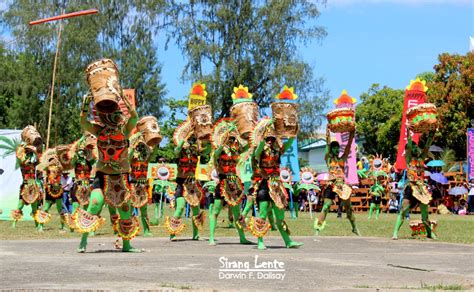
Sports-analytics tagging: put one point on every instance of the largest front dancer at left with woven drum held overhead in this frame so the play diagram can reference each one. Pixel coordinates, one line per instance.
(111, 182)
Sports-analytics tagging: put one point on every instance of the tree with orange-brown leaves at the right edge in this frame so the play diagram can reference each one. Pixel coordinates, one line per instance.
(451, 90)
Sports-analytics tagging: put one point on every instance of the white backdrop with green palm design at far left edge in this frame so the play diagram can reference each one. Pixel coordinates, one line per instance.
(10, 181)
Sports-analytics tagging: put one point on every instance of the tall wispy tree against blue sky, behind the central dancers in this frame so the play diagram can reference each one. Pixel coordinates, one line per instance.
(254, 43)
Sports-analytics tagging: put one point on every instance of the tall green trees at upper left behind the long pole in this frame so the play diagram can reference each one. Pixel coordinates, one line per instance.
(122, 31)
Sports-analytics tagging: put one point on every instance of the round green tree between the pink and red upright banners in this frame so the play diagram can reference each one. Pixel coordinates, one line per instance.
(378, 119)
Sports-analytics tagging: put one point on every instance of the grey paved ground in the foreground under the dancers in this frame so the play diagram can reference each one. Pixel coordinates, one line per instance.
(337, 263)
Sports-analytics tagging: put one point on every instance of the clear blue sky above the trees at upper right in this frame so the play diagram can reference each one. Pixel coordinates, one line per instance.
(370, 41)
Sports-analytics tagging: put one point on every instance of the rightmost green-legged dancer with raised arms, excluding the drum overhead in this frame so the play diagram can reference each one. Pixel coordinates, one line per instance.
(416, 192)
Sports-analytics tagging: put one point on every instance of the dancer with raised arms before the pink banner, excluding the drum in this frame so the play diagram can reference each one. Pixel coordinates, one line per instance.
(336, 184)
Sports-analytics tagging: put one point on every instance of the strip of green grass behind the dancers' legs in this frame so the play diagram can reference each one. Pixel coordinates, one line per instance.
(451, 228)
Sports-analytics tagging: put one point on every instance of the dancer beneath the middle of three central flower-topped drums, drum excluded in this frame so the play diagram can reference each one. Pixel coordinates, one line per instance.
(226, 144)
